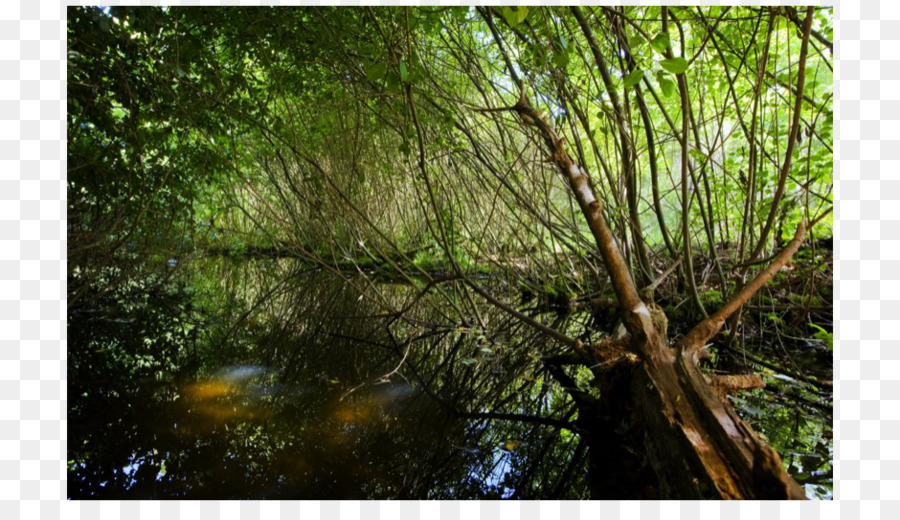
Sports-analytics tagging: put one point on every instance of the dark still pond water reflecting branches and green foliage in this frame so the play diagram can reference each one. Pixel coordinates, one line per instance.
(262, 379)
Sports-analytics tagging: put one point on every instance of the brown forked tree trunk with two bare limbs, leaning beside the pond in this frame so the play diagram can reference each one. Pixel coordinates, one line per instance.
(659, 430)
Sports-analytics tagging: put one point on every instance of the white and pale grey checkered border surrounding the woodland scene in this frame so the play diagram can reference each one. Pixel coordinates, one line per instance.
(32, 307)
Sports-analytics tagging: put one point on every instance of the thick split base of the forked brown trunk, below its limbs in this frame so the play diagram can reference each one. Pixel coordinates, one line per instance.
(659, 431)
